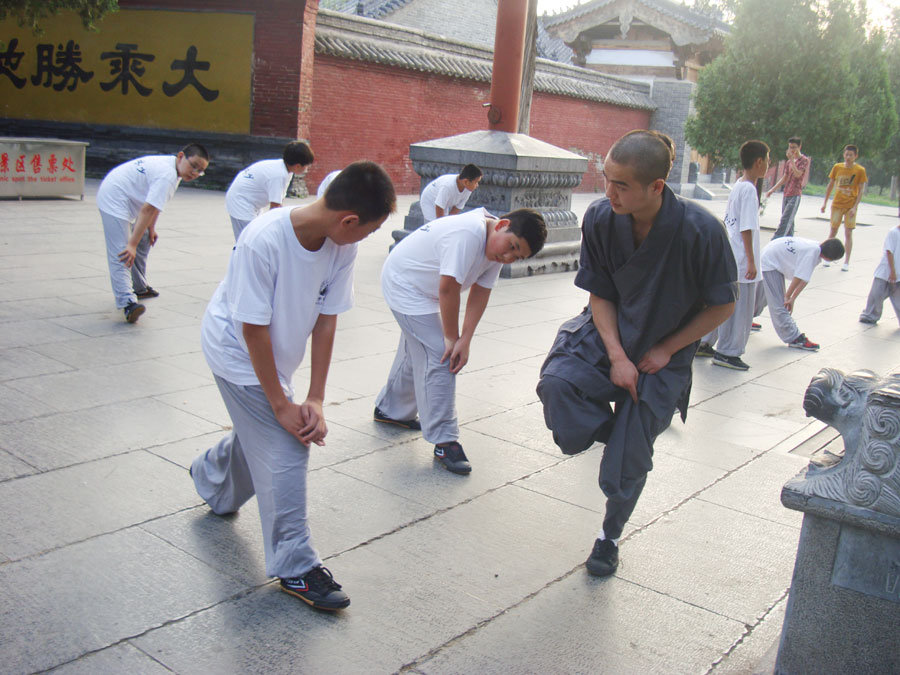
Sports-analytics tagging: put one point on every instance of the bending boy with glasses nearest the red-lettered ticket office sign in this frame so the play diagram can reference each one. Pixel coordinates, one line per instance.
(130, 199)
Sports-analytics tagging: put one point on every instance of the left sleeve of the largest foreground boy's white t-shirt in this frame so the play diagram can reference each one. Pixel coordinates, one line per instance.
(251, 287)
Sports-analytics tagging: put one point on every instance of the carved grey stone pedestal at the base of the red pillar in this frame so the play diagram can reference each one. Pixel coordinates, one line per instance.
(519, 172)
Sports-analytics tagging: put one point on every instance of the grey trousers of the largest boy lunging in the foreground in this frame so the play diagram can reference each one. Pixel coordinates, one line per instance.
(260, 457)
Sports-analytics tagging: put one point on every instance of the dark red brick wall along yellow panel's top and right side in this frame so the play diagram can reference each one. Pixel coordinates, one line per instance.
(282, 50)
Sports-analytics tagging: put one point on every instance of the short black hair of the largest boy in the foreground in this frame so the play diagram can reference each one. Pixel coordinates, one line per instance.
(363, 188)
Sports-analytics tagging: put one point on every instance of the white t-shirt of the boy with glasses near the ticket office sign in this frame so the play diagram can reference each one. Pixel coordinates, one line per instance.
(152, 180)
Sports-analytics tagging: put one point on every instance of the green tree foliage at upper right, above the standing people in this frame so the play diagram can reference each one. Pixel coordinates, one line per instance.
(795, 68)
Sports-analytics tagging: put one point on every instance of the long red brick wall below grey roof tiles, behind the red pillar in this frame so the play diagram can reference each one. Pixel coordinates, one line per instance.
(367, 111)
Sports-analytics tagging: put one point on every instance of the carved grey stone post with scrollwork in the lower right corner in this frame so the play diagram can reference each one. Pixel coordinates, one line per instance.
(843, 612)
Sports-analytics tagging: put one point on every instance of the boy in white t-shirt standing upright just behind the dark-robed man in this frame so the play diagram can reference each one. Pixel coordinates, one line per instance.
(742, 225)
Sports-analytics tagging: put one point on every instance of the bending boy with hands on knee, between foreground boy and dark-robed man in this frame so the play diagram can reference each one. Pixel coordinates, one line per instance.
(422, 280)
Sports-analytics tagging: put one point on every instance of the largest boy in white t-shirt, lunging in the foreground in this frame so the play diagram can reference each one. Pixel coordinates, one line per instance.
(290, 274)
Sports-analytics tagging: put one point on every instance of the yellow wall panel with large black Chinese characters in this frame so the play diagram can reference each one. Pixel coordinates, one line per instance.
(169, 70)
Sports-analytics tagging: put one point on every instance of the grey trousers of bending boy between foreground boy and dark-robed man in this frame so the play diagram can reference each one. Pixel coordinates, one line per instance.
(419, 382)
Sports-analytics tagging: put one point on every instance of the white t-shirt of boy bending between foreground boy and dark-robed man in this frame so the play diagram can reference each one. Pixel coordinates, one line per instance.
(451, 246)
